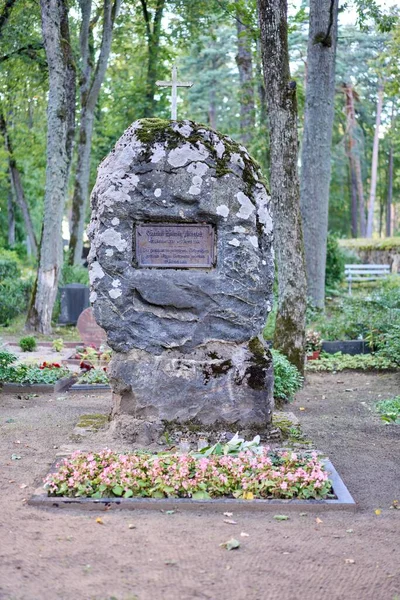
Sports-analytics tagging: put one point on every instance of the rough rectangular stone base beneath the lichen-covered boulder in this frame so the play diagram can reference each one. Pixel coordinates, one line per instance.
(219, 384)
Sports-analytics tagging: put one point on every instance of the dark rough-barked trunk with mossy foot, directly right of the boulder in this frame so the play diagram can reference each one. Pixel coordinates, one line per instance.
(285, 192)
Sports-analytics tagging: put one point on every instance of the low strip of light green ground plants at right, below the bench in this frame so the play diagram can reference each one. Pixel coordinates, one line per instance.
(359, 362)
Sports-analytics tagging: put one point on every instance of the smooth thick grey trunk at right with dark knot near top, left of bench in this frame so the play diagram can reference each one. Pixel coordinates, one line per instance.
(317, 140)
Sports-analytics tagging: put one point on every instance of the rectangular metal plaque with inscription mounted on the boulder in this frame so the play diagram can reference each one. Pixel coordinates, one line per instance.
(174, 245)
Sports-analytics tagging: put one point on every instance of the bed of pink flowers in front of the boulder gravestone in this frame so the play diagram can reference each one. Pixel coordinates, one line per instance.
(246, 475)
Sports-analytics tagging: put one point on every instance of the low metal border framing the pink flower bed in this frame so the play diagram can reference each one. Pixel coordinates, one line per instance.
(343, 500)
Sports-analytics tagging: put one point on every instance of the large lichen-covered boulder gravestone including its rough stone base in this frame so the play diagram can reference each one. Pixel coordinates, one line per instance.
(181, 269)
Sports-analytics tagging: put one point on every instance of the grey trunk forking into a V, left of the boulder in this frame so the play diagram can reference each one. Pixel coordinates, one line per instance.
(90, 84)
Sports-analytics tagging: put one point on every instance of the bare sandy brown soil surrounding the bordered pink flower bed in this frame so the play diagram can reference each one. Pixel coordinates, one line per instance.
(50, 554)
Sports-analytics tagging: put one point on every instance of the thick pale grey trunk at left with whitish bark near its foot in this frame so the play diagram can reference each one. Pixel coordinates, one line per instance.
(60, 120)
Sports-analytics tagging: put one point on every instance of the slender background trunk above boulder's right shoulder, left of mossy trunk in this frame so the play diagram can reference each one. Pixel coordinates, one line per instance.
(244, 61)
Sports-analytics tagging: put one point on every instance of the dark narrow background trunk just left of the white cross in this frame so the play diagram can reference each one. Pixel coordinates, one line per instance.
(153, 33)
